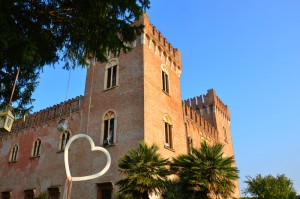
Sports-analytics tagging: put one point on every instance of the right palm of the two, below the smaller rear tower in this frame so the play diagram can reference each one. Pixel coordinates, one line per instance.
(206, 172)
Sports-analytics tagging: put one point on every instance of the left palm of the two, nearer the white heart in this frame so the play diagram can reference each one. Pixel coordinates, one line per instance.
(144, 172)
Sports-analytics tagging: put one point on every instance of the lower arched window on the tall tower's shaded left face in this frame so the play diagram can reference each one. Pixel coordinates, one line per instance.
(109, 128)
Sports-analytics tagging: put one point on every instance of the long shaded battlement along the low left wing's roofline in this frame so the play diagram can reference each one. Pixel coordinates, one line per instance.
(56, 111)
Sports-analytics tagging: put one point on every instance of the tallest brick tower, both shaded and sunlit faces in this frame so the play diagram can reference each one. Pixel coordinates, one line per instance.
(136, 97)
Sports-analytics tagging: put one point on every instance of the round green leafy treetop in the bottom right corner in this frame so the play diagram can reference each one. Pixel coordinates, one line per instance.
(279, 187)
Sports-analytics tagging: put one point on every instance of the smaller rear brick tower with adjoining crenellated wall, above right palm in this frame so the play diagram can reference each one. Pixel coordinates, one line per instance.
(207, 116)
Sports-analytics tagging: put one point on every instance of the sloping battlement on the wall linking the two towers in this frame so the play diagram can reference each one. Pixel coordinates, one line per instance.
(192, 114)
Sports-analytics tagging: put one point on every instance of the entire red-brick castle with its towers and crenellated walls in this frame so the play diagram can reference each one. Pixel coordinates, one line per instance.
(132, 98)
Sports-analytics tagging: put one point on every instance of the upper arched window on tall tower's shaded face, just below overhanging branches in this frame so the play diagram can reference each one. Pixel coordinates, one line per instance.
(111, 74)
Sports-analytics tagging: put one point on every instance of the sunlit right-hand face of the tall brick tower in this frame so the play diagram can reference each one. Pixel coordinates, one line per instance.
(163, 111)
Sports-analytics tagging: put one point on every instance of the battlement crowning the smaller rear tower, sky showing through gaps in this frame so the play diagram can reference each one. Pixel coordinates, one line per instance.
(208, 102)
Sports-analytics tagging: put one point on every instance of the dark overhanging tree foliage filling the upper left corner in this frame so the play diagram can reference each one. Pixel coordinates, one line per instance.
(35, 33)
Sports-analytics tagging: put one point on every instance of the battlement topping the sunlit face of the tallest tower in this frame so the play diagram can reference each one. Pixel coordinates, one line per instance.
(155, 41)
